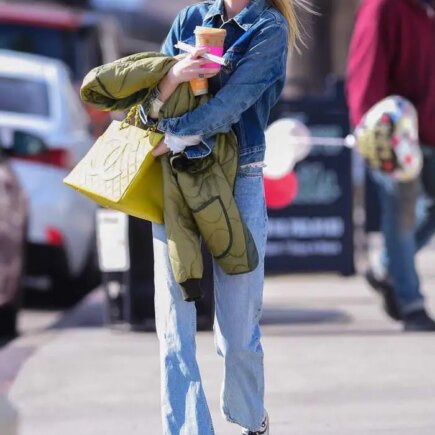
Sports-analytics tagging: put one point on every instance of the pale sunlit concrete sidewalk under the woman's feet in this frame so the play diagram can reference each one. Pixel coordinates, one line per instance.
(335, 365)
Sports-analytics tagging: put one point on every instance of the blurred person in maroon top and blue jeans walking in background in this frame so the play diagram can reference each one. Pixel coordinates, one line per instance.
(392, 53)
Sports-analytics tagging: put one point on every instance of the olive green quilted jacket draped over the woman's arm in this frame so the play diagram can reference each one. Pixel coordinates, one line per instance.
(198, 194)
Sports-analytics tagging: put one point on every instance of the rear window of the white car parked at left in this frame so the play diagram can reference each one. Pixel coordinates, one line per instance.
(24, 96)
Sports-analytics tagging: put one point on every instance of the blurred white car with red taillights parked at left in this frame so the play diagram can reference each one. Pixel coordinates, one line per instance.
(37, 97)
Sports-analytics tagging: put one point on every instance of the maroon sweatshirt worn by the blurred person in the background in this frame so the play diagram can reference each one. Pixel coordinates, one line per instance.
(377, 67)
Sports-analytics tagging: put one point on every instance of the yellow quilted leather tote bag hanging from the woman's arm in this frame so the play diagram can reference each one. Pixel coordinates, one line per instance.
(119, 172)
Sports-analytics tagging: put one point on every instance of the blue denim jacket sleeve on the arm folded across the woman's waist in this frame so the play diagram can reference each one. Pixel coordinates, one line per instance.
(263, 63)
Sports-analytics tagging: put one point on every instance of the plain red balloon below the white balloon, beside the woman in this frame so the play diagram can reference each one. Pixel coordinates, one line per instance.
(281, 192)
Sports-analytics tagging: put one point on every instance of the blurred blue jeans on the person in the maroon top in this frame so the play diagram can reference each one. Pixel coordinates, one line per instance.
(407, 228)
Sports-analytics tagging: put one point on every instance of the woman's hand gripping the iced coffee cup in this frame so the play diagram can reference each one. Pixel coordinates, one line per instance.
(191, 67)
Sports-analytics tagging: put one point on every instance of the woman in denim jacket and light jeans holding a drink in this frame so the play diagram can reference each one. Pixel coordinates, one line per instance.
(259, 33)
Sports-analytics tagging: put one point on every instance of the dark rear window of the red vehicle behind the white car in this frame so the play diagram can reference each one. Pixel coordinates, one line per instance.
(55, 43)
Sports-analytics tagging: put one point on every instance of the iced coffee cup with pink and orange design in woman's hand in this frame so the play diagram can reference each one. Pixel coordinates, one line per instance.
(213, 40)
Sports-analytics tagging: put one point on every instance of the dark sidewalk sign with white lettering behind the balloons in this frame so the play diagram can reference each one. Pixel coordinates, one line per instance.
(315, 232)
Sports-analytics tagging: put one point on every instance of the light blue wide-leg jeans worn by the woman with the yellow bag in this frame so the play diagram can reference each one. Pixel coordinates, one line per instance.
(238, 301)
